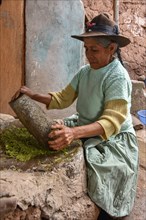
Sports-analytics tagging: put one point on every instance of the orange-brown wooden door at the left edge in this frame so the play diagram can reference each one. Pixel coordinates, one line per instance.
(11, 51)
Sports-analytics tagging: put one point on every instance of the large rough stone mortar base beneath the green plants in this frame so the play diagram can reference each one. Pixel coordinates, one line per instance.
(46, 187)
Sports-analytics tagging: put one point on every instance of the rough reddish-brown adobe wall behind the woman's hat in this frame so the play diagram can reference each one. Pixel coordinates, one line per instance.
(132, 25)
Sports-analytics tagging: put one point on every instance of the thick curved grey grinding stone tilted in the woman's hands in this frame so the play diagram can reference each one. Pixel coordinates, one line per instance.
(32, 117)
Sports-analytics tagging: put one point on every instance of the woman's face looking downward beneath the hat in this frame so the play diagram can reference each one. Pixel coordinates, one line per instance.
(97, 55)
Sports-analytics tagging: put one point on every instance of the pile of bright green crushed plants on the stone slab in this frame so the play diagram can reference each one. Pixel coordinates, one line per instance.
(20, 144)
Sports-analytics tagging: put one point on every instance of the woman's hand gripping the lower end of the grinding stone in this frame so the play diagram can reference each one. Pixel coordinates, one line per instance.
(61, 136)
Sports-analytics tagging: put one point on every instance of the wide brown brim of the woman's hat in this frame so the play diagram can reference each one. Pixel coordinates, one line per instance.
(119, 39)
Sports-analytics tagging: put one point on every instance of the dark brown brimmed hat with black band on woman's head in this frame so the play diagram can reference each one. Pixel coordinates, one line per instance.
(102, 26)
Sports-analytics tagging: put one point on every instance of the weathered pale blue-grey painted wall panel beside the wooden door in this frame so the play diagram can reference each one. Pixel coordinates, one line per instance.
(52, 56)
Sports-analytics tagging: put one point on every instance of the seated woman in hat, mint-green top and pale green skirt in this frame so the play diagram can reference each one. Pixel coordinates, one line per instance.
(103, 121)
